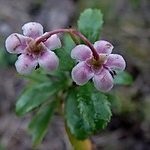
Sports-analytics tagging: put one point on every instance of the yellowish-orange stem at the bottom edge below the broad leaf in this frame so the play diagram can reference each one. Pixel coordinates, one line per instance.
(78, 144)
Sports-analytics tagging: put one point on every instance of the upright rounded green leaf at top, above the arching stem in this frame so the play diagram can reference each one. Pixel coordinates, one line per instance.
(90, 23)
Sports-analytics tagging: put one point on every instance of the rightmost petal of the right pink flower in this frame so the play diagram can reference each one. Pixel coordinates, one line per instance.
(116, 62)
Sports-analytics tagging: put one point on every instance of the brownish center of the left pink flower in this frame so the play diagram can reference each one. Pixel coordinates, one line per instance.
(34, 48)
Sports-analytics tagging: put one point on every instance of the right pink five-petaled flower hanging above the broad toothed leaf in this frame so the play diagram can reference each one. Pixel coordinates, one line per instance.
(101, 71)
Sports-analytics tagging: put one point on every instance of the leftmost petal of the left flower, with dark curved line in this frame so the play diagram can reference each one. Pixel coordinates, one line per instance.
(16, 43)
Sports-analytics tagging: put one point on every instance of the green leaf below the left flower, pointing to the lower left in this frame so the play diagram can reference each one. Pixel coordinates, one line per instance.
(35, 96)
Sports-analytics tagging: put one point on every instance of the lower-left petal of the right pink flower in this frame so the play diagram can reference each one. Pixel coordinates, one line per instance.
(81, 73)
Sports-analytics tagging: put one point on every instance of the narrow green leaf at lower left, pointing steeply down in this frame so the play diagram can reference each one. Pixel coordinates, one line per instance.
(39, 124)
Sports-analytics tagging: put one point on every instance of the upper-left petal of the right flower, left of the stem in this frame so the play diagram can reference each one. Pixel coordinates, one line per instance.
(81, 52)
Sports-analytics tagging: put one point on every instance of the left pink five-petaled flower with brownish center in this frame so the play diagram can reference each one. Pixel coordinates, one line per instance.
(33, 54)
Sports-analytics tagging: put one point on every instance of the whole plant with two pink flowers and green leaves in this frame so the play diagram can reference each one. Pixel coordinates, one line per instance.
(61, 83)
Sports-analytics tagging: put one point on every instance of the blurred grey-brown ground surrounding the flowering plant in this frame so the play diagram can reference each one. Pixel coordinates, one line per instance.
(127, 26)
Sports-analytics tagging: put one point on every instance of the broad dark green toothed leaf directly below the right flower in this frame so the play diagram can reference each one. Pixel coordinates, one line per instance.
(86, 113)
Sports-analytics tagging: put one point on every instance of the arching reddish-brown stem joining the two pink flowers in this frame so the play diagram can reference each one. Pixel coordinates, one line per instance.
(72, 32)
